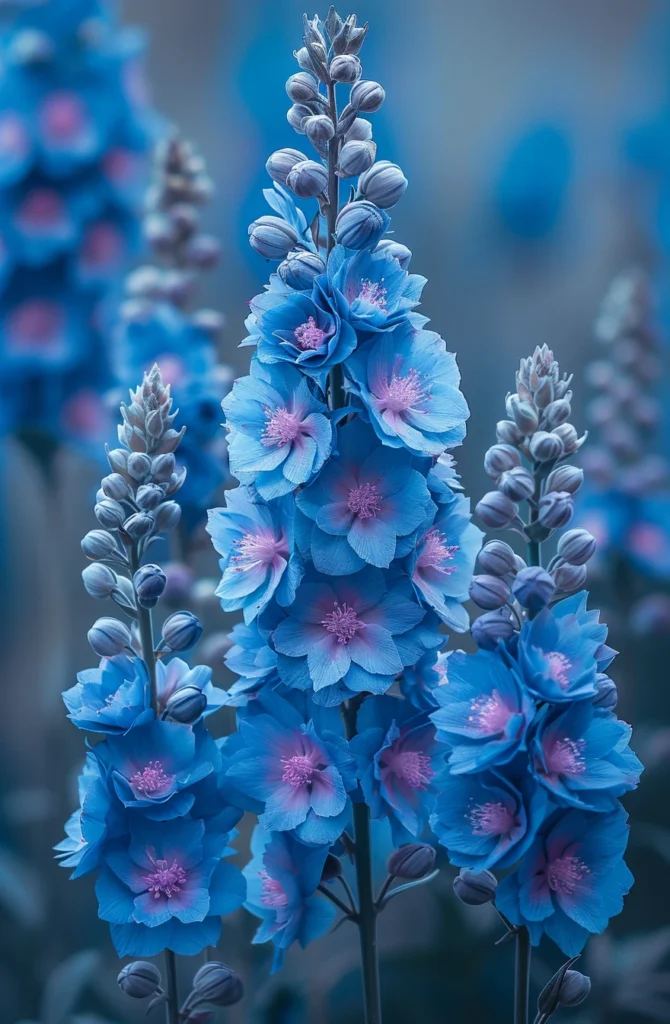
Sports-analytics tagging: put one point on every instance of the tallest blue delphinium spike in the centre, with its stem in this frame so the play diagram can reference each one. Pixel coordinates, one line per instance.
(348, 544)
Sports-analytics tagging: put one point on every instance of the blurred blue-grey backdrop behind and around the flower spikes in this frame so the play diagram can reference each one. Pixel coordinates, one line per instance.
(536, 139)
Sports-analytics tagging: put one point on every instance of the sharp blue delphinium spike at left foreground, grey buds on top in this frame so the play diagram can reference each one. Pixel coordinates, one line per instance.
(154, 820)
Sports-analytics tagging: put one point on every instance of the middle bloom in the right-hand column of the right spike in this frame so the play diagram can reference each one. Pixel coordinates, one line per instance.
(582, 757)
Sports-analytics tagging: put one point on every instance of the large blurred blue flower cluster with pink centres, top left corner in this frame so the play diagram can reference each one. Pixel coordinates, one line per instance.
(74, 131)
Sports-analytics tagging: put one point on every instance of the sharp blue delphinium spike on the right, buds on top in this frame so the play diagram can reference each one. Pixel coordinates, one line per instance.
(537, 758)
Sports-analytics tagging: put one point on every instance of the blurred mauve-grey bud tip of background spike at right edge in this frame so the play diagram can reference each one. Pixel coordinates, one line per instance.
(622, 412)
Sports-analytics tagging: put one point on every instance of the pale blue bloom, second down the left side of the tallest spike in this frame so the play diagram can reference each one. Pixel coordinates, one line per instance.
(280, 435)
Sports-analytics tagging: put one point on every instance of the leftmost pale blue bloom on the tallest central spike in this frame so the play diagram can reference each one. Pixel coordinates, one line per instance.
(259, 561)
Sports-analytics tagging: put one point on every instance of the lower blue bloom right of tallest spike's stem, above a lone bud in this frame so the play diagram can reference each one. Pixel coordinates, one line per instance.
(398, 758)
